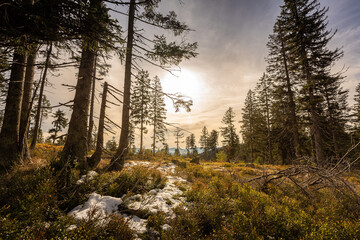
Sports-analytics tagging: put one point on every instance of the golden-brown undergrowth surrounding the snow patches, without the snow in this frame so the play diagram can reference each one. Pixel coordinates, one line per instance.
(219, 205)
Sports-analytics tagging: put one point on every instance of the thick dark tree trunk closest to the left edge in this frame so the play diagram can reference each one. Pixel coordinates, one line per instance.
(9, 137)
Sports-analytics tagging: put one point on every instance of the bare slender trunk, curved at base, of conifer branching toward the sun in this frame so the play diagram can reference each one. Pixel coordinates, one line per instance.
(117, 162)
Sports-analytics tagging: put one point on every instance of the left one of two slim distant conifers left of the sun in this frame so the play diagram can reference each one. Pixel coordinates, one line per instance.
(140, 104)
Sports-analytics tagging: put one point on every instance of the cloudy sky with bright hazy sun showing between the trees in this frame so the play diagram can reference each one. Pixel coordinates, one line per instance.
(232, 37)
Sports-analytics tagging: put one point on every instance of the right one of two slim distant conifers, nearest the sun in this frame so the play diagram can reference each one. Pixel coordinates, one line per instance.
(157, 112)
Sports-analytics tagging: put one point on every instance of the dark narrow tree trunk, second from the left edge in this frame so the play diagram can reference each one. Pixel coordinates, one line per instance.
(26, 104)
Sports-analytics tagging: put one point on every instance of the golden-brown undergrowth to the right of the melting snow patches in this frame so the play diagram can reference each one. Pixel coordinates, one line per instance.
(219, 207)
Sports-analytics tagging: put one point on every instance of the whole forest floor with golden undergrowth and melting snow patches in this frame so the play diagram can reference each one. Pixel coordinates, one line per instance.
(170, 198)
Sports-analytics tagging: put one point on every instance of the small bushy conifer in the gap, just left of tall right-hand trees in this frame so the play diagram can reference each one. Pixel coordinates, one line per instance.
(230, 138)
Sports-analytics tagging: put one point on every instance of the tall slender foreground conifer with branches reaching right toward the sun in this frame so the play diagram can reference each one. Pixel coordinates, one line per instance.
(162, 54)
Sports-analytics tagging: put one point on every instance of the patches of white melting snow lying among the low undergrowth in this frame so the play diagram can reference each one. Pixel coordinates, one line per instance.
(154, 201)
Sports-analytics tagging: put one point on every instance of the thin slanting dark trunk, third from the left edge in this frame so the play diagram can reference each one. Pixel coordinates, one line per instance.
(40, 100)
